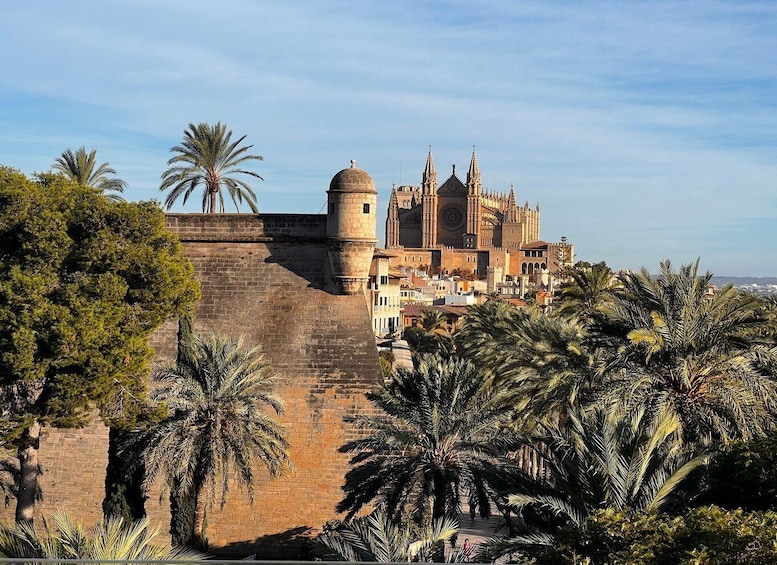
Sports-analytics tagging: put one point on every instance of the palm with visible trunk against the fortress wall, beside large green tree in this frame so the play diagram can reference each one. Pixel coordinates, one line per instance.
(214, 395)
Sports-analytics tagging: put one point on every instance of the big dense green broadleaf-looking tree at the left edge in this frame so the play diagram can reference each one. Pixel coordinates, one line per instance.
(84, 281)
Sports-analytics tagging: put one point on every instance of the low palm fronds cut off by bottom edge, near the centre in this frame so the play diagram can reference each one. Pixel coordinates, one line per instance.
(379, 539)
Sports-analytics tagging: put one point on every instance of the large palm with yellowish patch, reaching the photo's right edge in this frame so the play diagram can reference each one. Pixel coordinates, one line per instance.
(697, 357)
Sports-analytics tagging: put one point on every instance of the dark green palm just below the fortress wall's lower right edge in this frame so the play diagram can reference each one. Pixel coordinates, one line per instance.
(436, 432)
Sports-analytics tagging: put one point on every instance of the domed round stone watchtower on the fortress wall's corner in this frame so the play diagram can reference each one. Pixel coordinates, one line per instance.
(350, 228)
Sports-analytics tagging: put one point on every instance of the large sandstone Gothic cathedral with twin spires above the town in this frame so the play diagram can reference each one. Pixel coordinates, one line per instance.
(461, 225)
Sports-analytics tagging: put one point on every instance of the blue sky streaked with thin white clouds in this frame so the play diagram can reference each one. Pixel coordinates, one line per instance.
(645, 130)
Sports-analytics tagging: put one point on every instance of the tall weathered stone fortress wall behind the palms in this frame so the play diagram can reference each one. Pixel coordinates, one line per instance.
(266, 278)
